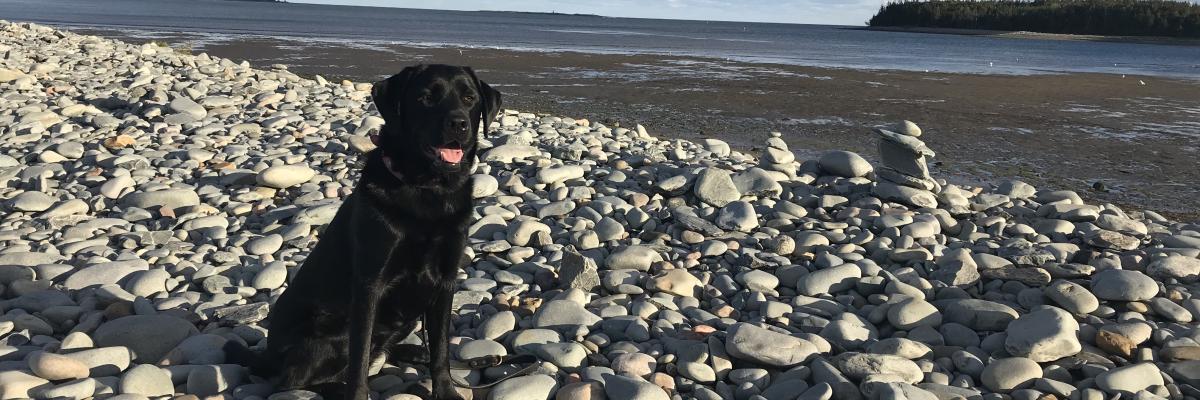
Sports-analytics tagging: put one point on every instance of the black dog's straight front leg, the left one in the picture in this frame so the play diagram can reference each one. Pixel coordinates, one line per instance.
(364, 302)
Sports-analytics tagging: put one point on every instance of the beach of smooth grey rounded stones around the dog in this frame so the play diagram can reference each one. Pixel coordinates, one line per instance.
(155, 205)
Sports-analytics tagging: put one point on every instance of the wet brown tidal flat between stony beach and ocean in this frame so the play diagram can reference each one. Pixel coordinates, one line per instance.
(1137, 139)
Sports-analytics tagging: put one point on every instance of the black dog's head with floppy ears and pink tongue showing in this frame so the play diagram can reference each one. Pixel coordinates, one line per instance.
(433, 118)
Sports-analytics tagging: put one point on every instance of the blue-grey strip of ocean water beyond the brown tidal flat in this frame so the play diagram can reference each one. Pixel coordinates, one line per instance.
(824, 46)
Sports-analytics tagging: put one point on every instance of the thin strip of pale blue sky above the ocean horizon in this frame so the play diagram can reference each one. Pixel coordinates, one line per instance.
(843, 13)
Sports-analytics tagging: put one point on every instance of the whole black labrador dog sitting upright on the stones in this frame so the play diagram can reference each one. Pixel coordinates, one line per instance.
(392, 255)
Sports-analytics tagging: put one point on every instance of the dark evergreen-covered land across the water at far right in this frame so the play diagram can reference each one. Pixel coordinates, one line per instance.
(1166, 19)
